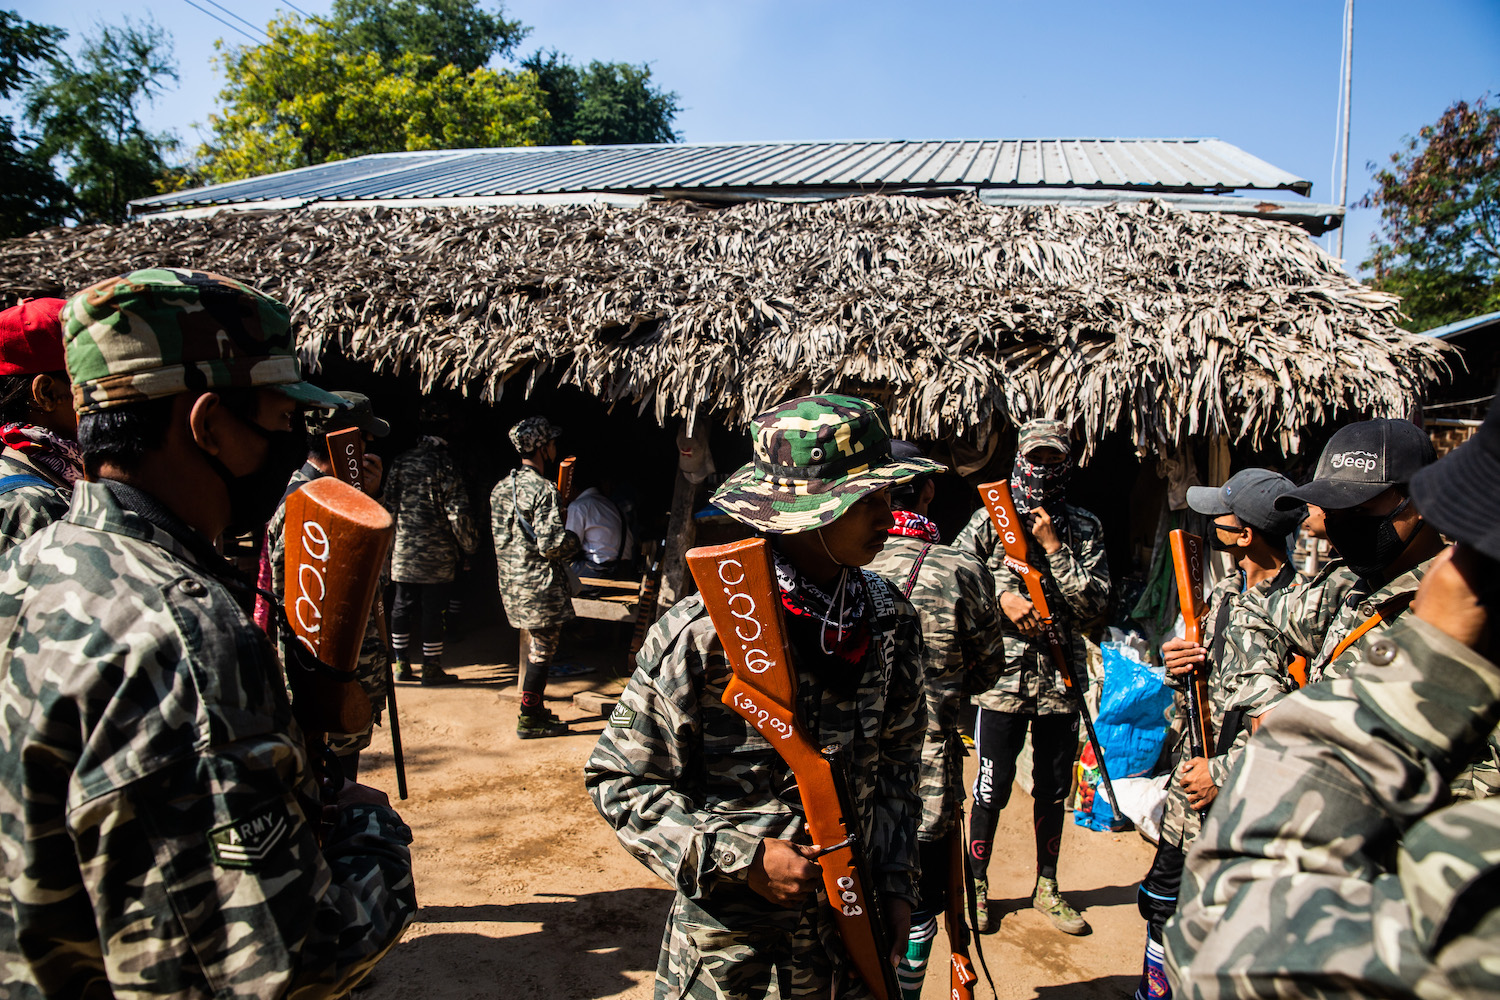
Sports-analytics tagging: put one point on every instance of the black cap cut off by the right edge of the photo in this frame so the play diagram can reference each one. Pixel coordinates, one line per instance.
(1462, 493)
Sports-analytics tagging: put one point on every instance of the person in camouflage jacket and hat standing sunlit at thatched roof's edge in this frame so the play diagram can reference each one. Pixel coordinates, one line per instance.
(533, 549)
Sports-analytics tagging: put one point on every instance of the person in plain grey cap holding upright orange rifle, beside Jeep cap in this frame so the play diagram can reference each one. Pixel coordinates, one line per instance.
(1250, 528)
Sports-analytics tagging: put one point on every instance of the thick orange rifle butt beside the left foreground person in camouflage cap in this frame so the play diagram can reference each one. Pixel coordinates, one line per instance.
(337, 542)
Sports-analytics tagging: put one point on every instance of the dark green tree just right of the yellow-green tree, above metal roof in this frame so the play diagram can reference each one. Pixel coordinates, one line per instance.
(604, 103)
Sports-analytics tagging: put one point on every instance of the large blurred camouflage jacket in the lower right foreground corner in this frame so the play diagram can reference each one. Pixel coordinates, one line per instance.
(1334, 863)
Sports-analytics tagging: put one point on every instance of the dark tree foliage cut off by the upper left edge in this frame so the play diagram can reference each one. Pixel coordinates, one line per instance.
(31, 196)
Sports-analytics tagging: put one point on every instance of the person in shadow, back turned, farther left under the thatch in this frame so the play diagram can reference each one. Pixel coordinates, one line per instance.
(434, 531)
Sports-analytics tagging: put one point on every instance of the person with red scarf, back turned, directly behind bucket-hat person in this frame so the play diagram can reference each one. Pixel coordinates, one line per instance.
(964, 653)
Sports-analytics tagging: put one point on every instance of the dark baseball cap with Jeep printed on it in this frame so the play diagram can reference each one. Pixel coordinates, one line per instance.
(1364, 461)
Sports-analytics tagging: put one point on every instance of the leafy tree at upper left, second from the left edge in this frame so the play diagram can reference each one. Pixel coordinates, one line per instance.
(88, 110)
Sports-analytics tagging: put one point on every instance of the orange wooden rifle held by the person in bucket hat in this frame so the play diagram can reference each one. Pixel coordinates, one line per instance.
(739, 590)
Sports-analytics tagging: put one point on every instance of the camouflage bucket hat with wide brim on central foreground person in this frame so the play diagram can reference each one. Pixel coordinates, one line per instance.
(814, 460)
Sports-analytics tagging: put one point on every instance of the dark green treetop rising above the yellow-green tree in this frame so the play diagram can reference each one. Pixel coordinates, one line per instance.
(452, 32)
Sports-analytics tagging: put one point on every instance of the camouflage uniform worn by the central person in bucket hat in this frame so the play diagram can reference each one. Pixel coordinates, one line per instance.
(692, 789)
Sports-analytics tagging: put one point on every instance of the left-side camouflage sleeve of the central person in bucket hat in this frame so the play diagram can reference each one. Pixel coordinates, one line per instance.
(644, 774)
